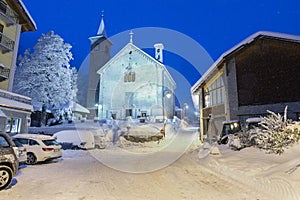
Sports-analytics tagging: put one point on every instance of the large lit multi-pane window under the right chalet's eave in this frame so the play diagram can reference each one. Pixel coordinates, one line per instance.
(215, 93)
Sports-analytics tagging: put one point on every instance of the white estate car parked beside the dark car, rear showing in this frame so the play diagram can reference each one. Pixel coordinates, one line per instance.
(39, 147)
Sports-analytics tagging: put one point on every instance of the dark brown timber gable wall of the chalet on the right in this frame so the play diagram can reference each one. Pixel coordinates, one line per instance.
(267, 78)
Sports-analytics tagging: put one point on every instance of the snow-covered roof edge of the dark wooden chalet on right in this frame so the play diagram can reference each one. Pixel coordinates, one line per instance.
(241, 45)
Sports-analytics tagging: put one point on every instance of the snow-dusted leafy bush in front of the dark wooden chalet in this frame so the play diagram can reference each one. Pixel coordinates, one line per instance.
(275, 133)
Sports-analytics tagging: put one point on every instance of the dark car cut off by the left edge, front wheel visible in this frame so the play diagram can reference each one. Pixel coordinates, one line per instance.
(8, 160)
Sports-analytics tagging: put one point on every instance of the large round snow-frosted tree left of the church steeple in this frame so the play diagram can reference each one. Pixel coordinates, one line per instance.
(45, 74)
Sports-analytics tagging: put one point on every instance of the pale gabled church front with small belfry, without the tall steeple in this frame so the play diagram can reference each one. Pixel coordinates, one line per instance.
(134, 84)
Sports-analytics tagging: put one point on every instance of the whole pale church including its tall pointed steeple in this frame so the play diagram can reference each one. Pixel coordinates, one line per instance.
(130, 84)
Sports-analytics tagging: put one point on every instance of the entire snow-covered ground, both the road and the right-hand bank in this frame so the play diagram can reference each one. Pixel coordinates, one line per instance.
(177, 167)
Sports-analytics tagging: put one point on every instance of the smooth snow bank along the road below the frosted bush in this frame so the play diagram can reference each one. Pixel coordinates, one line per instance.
(275, 176)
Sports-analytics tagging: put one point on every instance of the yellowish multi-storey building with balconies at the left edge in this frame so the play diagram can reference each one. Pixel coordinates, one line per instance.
(14, 106)
